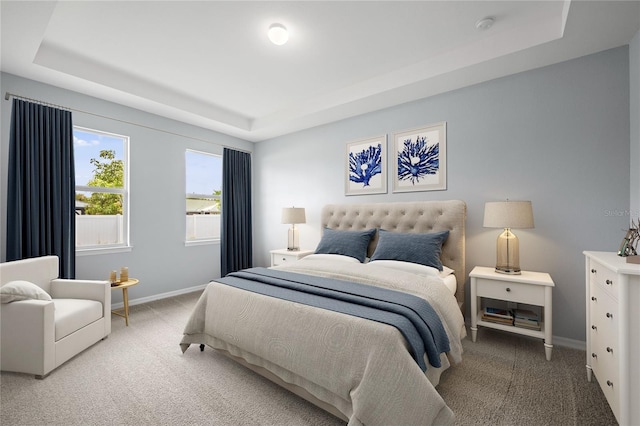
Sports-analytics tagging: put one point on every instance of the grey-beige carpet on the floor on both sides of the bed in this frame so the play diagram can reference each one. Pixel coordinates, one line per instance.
(139, 376)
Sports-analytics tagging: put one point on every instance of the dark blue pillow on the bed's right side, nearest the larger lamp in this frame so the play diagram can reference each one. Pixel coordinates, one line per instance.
(424, 249)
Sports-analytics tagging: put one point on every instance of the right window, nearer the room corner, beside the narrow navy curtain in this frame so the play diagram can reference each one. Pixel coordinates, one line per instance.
(203, 196)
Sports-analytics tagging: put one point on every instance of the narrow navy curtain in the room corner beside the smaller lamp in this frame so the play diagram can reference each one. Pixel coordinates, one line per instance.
(236, 234)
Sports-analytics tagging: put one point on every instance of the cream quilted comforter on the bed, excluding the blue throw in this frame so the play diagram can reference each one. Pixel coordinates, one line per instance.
(361, 367)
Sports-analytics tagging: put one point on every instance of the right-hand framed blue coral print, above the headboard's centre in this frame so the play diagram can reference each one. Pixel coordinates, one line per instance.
(420, 159)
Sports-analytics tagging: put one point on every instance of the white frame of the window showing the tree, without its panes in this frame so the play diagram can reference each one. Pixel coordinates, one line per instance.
(125, 245)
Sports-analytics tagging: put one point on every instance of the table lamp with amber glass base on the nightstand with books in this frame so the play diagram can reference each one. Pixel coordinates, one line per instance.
(508, 215)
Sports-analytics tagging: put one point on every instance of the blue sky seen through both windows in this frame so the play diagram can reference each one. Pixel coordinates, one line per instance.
(203, 171)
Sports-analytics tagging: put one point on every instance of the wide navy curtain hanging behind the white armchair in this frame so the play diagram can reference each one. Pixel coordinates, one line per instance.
(41, 185)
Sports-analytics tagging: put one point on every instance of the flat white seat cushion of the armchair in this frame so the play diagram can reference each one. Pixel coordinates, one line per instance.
(73, 314)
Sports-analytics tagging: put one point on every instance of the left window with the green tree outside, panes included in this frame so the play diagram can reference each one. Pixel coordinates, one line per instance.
(102, 196)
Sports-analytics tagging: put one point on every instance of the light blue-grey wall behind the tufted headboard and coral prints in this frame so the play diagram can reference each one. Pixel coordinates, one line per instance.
(558, 136)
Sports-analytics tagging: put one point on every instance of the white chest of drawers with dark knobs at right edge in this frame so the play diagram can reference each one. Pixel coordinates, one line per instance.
(613, 331)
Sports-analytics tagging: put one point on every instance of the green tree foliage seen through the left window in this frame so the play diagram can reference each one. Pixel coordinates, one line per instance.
(107, 173)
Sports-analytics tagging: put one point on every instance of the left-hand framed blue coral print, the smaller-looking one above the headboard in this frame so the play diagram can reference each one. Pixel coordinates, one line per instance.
(366, 171)
